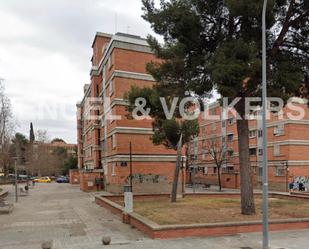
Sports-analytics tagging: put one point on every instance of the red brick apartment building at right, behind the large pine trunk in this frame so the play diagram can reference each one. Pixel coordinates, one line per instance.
(288, 149)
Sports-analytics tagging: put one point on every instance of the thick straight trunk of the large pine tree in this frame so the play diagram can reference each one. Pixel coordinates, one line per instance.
(246, 185)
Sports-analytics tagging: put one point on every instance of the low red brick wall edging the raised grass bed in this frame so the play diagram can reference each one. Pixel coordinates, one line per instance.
(156, 231)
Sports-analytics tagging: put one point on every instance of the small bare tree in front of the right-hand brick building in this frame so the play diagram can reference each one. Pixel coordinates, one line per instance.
(218, 152)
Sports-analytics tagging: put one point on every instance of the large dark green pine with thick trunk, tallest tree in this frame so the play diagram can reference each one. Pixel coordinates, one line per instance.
(216, 44)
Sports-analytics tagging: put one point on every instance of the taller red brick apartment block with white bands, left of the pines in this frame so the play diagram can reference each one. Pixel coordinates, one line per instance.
(119, 62)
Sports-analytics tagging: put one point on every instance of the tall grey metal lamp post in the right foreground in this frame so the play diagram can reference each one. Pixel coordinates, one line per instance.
(265, 165)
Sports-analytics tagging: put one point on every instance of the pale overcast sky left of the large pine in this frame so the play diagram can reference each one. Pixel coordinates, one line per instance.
(45, 51)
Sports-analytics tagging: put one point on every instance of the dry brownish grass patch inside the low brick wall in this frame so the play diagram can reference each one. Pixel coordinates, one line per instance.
(211, 210)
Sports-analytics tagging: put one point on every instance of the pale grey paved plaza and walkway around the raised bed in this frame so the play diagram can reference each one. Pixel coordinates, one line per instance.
(63, 214)
